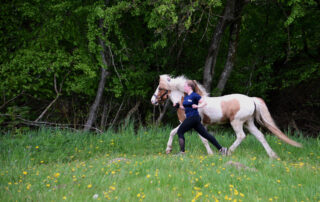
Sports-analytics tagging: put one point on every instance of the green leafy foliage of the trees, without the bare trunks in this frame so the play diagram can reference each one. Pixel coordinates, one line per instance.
(43, 40)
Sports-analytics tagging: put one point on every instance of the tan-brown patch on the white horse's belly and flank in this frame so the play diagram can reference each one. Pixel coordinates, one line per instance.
(229, 109)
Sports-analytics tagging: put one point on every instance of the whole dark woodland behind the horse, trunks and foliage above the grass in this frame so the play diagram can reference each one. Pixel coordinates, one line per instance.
(93, 65)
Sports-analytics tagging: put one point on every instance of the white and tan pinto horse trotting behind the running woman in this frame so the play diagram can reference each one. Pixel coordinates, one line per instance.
(237, 109)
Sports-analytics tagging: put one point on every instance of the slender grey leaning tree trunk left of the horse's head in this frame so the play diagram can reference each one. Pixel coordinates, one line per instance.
(104, 73)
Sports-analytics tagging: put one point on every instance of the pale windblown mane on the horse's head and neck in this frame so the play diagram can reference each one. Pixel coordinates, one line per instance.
(170, 83)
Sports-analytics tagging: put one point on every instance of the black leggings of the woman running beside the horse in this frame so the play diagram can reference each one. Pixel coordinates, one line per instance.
(195, 123)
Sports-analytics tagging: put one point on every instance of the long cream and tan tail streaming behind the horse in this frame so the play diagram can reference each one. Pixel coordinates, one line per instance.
(264, 118)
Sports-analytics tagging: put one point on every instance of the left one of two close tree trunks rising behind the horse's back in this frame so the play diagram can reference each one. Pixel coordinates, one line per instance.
(213, 51)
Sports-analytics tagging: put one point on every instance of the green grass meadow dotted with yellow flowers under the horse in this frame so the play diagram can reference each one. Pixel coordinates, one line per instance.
(55, 165)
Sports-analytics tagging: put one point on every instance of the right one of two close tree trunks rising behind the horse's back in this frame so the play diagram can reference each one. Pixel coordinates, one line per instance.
(233, 43)
